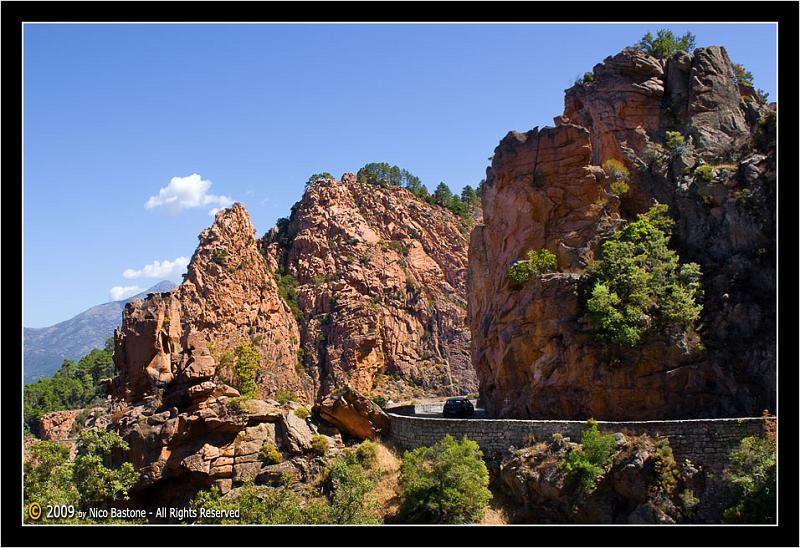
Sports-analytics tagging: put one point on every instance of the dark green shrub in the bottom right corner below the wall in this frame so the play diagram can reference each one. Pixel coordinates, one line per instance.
(751, 481)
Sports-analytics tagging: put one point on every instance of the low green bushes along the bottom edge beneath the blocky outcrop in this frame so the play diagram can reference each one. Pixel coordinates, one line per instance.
(341, 496)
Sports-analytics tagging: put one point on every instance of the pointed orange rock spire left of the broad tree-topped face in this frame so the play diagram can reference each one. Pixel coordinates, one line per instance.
(228, 297)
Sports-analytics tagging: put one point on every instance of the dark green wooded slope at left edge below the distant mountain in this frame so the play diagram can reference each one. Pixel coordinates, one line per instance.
(73, 386)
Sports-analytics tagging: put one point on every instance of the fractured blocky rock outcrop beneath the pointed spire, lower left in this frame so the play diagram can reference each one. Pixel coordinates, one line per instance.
(215, 440)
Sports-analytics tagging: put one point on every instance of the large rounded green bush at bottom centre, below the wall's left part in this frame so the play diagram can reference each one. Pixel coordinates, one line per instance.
(444, 483)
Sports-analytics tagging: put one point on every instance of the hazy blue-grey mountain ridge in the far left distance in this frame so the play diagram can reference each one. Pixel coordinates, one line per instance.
(46, 348)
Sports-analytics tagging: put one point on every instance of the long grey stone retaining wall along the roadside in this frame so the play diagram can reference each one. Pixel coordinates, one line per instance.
(703, 441)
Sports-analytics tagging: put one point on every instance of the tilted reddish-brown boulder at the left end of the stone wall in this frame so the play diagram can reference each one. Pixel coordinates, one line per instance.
(354, 414)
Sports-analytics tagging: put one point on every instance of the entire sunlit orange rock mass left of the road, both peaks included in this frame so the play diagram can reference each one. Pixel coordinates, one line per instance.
(382, 292)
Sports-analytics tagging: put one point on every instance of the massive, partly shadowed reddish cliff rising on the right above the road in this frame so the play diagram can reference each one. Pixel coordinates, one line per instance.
(532, 347)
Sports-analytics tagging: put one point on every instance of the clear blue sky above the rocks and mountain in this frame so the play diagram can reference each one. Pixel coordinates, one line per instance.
(115, 113)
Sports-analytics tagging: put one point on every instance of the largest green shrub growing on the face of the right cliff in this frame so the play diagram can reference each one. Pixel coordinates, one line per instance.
(639, 285)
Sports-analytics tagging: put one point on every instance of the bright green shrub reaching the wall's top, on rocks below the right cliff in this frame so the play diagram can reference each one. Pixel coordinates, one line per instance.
(586, 464)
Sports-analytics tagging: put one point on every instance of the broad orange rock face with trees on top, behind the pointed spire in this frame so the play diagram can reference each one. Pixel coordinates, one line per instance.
(382, 288)
